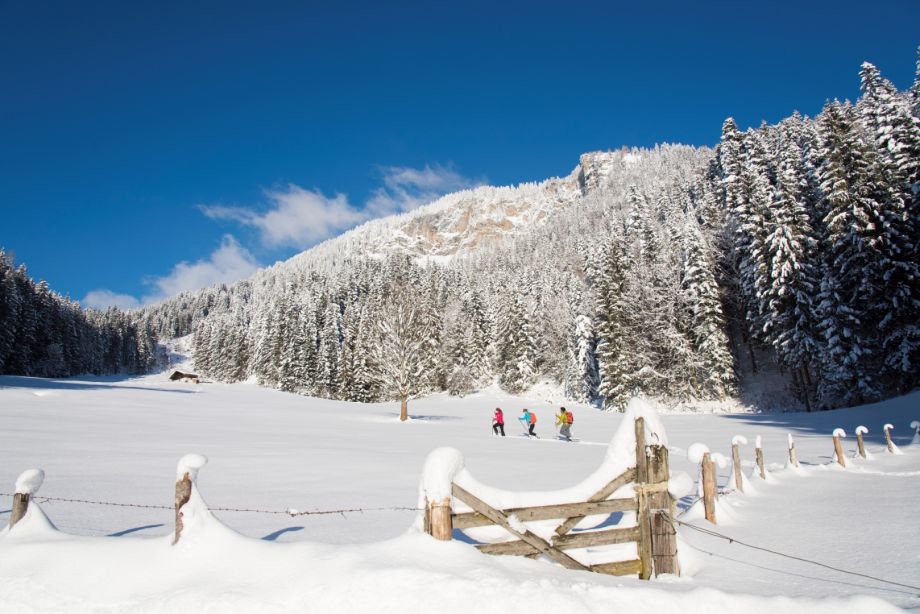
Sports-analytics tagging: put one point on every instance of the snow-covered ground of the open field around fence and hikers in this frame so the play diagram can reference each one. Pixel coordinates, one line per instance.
(119, 441)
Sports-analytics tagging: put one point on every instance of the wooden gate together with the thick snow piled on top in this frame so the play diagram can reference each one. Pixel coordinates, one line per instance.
(568, 526)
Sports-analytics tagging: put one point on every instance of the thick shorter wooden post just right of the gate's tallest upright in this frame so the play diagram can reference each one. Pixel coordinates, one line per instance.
(663, 534)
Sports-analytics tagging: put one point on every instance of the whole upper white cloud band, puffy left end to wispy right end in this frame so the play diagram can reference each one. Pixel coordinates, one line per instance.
(300, 218)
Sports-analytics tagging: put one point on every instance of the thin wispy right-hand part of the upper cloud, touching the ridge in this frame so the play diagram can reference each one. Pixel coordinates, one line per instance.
(405, 189)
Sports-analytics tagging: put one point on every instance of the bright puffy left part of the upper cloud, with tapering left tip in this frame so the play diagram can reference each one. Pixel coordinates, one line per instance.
(297, 218)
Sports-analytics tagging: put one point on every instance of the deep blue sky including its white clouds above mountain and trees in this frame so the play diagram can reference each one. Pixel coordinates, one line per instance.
(147, 148)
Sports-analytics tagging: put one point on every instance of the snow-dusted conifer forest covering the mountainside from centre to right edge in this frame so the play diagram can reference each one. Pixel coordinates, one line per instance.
(675, 273)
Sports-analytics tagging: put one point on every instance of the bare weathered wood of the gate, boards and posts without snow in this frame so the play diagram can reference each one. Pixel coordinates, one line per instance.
(653, 534)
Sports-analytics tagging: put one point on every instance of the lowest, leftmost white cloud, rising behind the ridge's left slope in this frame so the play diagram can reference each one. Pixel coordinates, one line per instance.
(228, 263)
